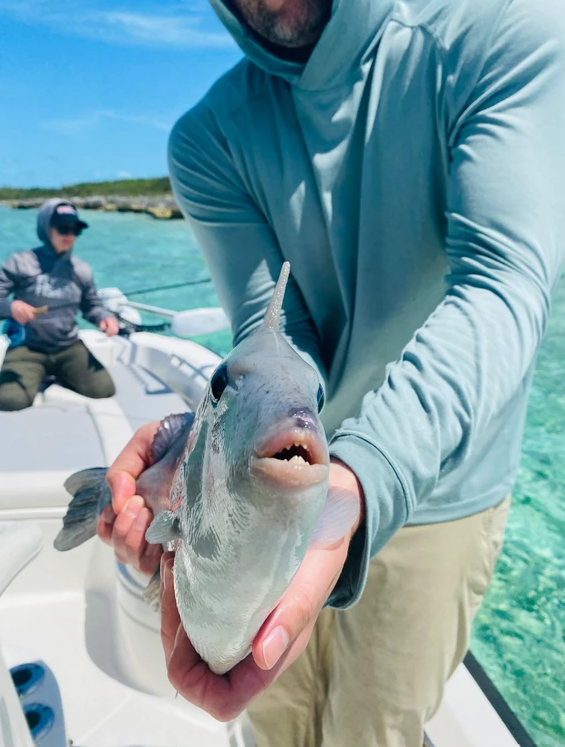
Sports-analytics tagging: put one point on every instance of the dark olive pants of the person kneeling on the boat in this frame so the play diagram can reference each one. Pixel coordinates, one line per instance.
(24, 369)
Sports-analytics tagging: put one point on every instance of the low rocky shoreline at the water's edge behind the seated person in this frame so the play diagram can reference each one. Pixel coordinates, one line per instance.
(161, 207)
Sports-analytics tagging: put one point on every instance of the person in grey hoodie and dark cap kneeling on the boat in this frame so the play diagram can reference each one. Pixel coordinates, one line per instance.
(49, 285)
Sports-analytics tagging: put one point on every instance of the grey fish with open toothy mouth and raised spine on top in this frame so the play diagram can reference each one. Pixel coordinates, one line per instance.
(239, 490)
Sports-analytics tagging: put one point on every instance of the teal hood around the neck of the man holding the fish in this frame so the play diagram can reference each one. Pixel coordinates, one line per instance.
(353, 28)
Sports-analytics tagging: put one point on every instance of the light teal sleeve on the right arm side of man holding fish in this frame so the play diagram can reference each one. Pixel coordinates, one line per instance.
(505, 240)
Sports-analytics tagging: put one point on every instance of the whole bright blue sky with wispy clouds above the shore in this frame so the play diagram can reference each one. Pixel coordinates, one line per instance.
(89, 89)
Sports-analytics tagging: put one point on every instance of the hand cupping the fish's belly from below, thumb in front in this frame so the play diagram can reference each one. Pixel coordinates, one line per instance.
(282, 638)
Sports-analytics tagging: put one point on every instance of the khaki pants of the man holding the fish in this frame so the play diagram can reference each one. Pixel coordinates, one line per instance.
(373, 675)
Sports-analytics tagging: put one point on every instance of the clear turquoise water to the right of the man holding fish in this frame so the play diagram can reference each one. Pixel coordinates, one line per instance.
(519, 633)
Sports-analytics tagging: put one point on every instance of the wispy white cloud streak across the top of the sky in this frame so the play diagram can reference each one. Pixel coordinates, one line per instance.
(185, 25)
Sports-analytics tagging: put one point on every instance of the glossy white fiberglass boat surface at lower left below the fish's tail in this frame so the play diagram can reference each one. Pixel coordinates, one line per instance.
(77, 628)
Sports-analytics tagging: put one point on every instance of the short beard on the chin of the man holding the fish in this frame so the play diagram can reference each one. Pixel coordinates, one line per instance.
(300, 31)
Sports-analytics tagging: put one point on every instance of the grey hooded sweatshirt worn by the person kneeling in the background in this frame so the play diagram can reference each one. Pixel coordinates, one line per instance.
(64, 283)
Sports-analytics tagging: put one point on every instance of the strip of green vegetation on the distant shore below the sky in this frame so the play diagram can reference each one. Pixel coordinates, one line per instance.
(124, 187)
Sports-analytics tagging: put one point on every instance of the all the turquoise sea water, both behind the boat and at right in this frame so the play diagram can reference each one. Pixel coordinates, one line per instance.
(519, 633)
